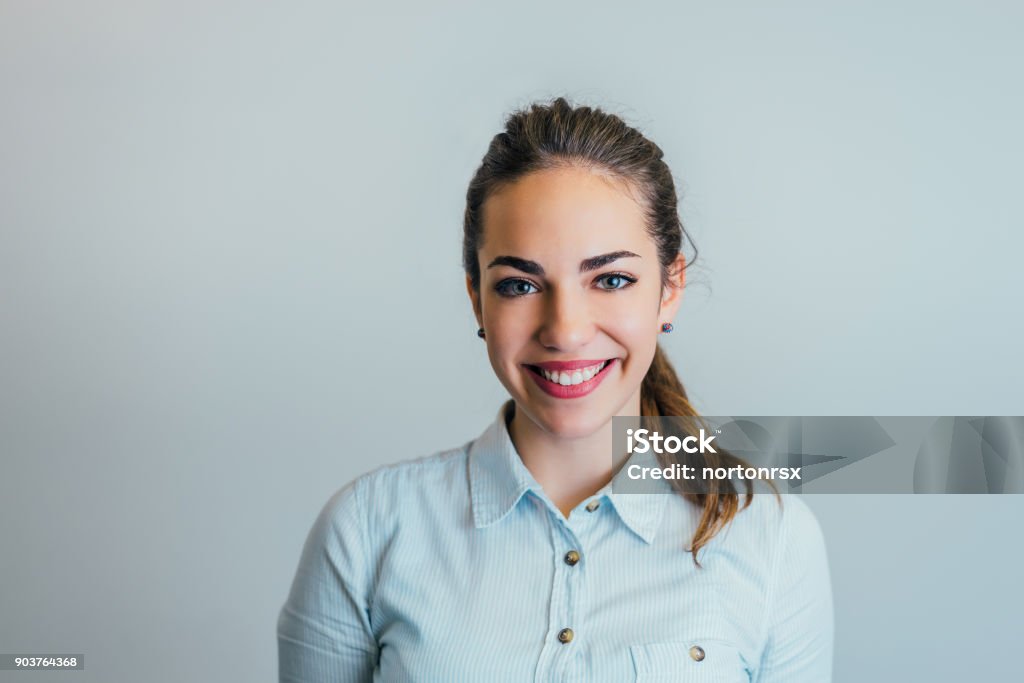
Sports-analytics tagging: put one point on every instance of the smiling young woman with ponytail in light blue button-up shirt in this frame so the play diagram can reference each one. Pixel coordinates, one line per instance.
(511, 559)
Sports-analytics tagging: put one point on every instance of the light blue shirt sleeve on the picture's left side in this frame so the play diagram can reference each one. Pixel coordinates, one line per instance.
(324, 631)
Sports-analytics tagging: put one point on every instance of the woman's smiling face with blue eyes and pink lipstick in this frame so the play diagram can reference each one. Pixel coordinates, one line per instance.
(571, 284)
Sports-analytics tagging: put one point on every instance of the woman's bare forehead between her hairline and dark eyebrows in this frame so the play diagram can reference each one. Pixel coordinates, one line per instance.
(569, 210)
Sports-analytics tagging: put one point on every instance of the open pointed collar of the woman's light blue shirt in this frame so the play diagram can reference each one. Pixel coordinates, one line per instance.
(499, 480)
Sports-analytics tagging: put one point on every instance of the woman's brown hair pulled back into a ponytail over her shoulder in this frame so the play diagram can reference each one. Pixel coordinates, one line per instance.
(558, 136)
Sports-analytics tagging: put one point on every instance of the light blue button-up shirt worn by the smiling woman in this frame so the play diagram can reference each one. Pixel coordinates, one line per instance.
(455, 568)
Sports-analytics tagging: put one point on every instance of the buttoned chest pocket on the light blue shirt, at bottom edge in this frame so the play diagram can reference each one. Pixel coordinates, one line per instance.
(696, 661)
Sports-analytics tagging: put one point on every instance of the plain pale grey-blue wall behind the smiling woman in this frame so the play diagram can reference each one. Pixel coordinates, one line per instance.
(230, 283)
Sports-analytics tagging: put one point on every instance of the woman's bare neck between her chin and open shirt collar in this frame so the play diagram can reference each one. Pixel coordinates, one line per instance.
(570, 471)
